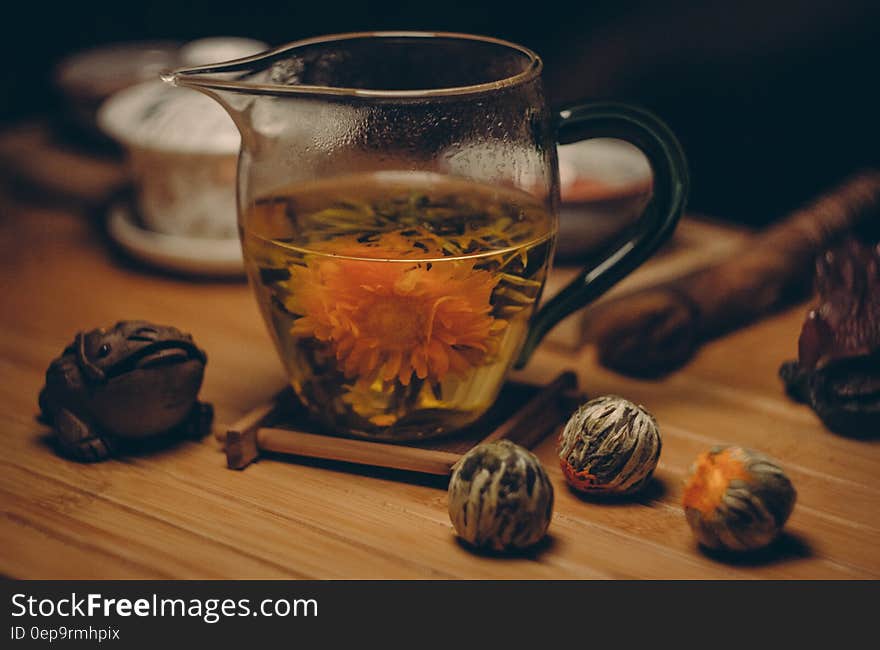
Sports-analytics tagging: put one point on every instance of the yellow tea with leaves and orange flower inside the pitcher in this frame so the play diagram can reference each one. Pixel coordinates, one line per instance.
(397, 301)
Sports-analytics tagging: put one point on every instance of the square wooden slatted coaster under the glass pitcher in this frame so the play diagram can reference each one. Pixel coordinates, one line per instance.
(523, 413)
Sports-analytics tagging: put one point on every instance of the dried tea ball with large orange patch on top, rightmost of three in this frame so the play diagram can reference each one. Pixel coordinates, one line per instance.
(737, 499)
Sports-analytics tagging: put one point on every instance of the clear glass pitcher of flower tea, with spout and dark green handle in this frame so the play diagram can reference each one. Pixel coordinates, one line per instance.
(397, 201)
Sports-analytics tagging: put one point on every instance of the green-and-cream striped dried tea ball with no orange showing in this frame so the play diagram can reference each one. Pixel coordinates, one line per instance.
(500, 497)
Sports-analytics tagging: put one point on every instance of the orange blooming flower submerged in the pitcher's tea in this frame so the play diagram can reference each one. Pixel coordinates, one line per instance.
(395, 319)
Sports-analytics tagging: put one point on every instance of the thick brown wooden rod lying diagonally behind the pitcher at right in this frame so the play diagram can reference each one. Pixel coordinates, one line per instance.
(654, 331)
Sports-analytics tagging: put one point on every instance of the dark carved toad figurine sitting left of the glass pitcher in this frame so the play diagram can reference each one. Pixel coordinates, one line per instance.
(130, 381)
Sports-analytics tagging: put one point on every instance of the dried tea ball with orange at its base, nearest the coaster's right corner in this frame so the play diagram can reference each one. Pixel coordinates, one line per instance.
(609, 446)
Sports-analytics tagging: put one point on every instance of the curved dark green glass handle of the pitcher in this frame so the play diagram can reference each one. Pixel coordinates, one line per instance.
(639, 241)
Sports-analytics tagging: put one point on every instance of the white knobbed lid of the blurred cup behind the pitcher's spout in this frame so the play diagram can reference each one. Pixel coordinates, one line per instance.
(155, 115)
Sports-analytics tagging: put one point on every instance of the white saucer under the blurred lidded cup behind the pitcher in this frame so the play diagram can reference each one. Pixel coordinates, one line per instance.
(178, 253)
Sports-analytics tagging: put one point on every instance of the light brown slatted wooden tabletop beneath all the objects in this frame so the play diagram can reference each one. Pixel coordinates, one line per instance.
(179, 513)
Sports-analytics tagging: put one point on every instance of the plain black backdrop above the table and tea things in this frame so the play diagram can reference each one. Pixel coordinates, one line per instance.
(774, 100)
